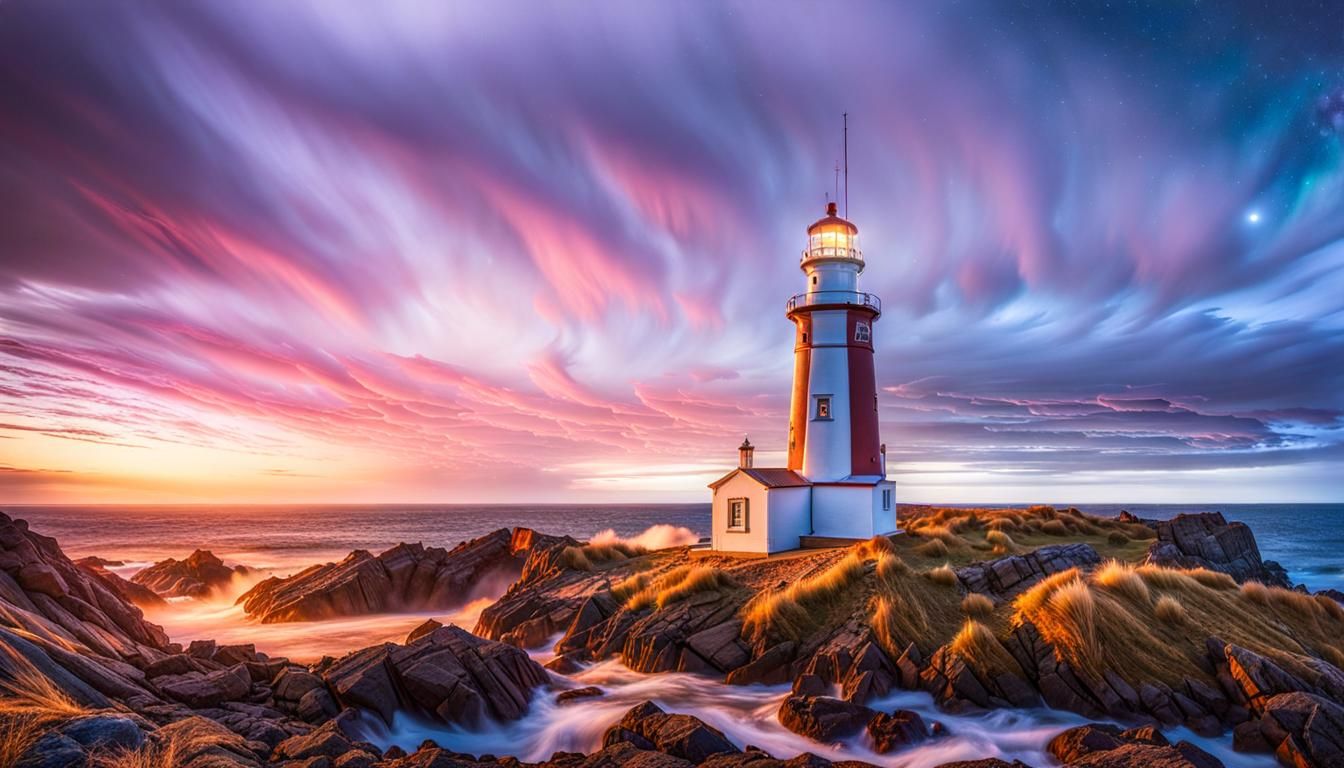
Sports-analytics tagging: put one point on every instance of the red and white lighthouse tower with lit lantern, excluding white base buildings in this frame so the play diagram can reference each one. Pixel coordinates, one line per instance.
(834, 411)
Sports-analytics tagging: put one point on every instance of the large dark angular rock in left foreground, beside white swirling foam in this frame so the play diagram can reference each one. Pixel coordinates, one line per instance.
(450, 675)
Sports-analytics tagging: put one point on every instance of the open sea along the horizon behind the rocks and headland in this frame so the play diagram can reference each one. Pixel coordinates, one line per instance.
(1308, 540)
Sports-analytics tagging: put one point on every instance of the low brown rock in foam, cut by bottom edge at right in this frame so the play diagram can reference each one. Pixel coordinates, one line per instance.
(1101, 746)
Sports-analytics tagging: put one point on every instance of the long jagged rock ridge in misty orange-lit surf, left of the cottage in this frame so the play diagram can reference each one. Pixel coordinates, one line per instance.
(407, 578)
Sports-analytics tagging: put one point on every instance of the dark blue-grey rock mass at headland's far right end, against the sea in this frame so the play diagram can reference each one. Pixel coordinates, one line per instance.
(1208, 540)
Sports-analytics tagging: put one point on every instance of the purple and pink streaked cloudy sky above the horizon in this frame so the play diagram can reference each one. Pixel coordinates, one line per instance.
(541, 252)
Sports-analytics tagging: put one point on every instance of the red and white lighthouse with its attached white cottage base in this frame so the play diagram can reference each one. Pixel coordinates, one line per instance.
(835, 488)
